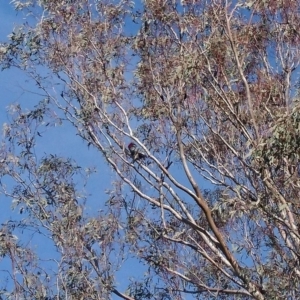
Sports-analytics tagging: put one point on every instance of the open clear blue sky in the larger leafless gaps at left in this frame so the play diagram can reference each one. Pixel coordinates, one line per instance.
(62, 140)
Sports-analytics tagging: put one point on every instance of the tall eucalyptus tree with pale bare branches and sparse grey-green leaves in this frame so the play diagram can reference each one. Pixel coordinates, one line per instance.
(208, 92)
